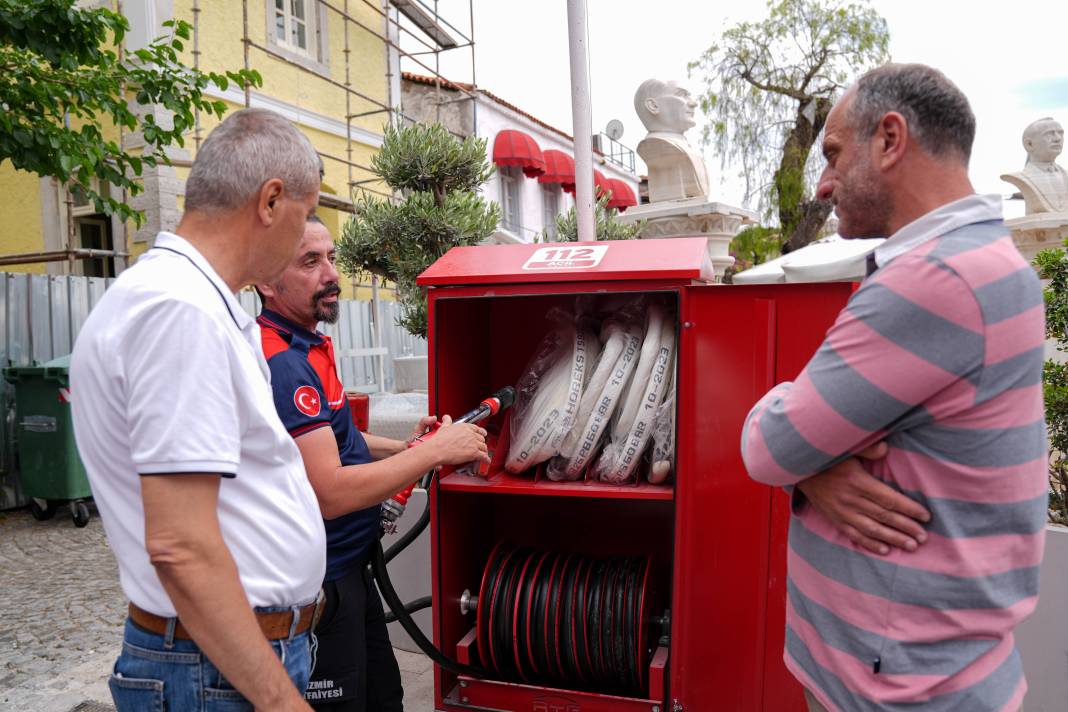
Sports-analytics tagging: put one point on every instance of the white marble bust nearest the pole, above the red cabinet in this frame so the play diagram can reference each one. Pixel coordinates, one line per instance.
(677, 171)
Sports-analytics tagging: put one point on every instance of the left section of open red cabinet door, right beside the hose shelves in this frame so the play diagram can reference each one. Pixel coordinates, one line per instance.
(723, 517)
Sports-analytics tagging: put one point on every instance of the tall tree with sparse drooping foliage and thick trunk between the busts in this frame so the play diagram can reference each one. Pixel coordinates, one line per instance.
(767, 89)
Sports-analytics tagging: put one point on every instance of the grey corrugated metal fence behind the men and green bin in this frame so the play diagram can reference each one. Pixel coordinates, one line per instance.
(41, 318)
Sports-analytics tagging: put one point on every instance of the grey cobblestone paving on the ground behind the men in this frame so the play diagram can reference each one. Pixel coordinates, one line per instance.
(61, 618)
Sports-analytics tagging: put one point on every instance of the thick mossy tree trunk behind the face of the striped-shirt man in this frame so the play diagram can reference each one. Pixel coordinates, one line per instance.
(800, 218)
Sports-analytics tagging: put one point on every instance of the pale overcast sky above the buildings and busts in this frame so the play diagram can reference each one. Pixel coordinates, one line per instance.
(1012, 62)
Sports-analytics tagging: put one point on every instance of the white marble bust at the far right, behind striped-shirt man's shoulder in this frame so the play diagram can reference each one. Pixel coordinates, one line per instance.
(1043, 183)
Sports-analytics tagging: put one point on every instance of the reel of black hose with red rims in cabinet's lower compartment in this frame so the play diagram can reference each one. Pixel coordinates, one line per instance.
(557, 619)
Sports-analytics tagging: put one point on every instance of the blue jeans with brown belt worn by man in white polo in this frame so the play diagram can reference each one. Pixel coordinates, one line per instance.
(154, 674)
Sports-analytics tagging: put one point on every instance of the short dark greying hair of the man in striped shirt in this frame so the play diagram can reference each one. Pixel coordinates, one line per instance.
(937, 112)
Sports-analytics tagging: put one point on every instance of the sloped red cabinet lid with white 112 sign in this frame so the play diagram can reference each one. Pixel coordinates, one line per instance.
(676, 259)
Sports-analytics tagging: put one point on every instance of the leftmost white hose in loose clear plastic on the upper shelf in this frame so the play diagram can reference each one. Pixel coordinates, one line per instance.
(548, 397)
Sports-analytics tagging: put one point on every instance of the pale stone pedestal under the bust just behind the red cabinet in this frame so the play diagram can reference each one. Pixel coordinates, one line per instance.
(697, 217)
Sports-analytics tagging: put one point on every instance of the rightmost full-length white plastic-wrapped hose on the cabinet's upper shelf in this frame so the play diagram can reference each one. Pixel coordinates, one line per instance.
(636, 424)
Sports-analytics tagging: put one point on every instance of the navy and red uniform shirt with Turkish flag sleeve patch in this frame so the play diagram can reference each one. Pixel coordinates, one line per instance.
(309, 395)
